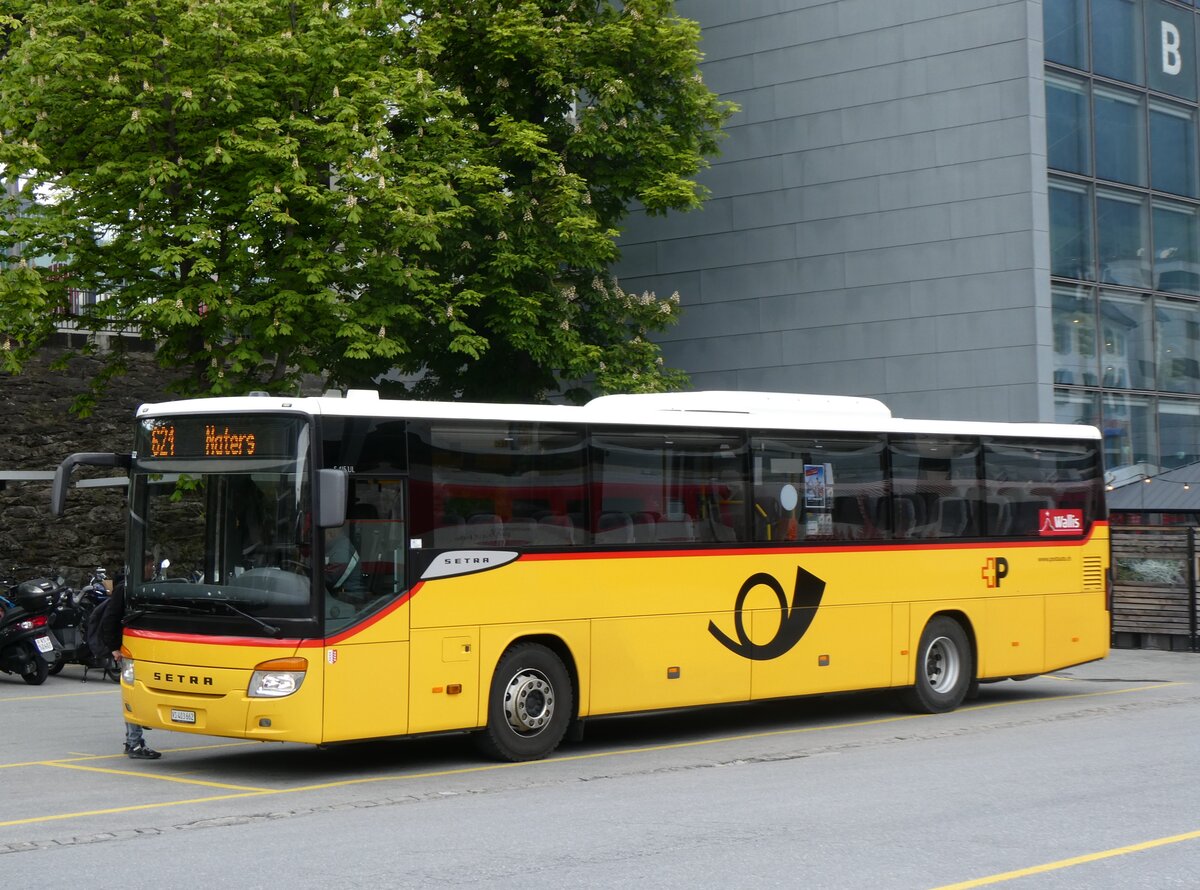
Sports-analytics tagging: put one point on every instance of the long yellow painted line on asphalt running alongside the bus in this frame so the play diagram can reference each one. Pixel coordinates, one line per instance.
(533, 765)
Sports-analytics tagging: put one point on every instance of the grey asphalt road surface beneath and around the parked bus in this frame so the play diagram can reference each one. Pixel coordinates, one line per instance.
(1083, 779)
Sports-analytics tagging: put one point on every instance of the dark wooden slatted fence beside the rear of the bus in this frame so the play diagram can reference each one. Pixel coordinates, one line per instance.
(1155, 588)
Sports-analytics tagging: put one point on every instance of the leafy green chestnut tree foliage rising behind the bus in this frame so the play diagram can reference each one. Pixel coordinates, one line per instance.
(273, 189)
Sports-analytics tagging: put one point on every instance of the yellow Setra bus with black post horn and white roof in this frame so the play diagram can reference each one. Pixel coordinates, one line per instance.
(335, 569)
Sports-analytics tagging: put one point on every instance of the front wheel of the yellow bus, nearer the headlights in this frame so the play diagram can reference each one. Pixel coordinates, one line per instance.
(530, 706)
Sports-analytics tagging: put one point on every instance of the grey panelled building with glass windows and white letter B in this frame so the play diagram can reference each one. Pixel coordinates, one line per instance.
(887, 220)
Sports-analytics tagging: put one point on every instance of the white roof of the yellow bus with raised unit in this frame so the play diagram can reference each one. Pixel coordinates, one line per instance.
(709, 410)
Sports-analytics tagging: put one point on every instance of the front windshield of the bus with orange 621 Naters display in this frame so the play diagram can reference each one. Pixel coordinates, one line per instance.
(224, 522)
